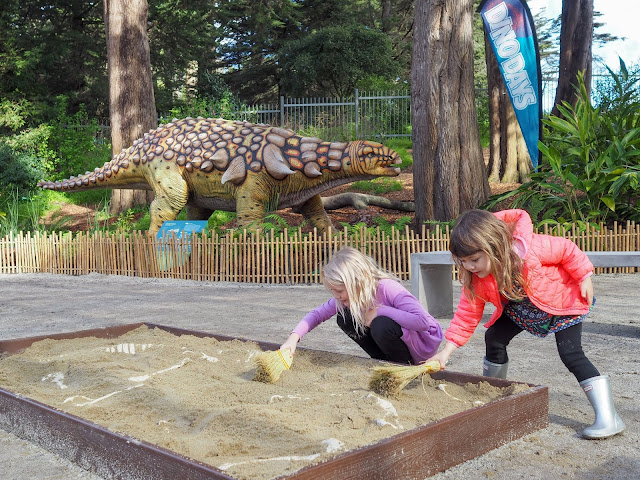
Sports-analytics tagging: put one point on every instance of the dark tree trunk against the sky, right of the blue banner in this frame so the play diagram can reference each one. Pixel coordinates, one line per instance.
(576, 40)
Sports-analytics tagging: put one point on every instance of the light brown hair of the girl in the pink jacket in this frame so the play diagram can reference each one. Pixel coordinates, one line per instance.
(481, 231)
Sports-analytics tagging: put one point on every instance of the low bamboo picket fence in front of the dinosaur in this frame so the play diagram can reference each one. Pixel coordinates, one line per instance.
(290, 257)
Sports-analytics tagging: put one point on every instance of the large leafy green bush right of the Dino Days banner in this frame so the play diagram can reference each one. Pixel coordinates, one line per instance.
(592, 168)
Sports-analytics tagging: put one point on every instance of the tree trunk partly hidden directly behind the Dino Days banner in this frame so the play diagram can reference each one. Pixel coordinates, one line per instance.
(509, 160)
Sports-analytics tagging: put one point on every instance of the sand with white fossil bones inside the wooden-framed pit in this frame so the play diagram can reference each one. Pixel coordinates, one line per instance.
(197, 397)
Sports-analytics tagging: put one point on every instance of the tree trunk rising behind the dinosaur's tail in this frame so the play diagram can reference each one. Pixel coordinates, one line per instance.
(131, 100)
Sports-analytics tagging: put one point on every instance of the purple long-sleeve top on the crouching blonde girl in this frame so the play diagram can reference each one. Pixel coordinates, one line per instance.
(420, 331)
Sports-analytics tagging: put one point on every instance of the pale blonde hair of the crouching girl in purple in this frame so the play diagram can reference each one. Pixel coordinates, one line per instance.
(359, 275)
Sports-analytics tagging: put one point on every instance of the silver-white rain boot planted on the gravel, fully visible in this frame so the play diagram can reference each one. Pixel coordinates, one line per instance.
(608, 423)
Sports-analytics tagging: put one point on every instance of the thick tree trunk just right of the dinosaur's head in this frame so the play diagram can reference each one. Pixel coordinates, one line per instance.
(449, 172)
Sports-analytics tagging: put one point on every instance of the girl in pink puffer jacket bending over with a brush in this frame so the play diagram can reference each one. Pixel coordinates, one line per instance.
(538, 283)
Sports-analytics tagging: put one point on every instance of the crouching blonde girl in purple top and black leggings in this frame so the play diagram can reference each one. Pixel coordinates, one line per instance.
(374, 310)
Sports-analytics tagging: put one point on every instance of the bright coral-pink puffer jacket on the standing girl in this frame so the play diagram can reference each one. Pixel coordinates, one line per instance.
(553, 266)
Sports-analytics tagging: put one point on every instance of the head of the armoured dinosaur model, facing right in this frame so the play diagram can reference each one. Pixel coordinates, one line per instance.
(372, 158)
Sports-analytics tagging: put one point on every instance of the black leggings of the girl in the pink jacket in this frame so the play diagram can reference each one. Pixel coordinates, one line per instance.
(568, 341)
